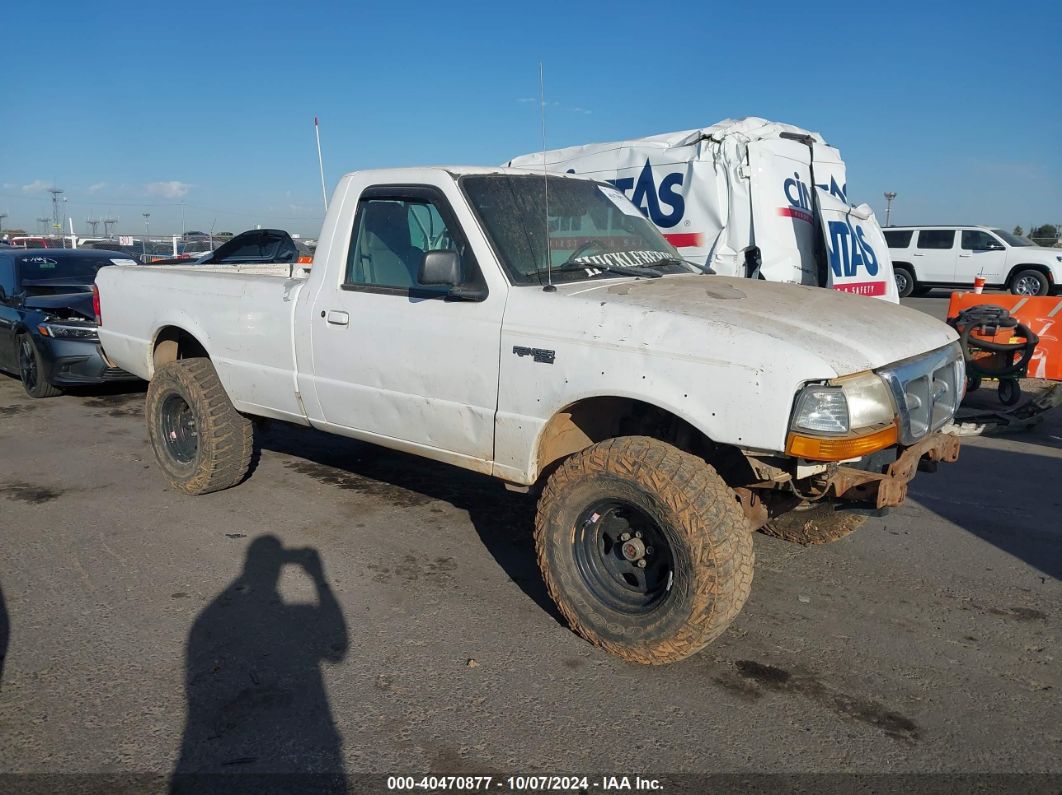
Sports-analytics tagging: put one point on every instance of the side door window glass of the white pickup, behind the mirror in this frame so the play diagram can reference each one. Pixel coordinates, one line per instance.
(390, 239)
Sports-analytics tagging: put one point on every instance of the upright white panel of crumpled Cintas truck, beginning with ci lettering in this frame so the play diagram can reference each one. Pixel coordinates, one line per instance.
(783, 212)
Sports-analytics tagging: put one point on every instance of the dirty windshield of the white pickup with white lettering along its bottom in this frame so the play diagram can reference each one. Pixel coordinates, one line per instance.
(594, 231)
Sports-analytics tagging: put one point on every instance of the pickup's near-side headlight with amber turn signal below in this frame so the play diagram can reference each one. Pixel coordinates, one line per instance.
(847, 419)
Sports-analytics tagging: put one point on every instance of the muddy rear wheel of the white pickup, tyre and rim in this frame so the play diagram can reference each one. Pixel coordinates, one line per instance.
(201, 442)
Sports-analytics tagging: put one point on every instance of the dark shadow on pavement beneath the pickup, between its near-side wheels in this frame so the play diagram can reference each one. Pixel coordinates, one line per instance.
(504, 521)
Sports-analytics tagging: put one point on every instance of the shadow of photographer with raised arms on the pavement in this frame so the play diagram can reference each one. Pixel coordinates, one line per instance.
(258, 704)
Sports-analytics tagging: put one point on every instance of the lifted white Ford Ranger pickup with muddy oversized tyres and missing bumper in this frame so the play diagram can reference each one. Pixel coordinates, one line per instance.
(665, 413)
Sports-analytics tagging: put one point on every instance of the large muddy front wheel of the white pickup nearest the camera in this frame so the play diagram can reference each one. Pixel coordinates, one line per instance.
(644, 548)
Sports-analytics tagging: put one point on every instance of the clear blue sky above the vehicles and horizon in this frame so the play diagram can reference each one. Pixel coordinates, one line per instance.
(138, 108)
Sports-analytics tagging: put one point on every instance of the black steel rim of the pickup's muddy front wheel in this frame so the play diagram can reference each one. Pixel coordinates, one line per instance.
(624, 557)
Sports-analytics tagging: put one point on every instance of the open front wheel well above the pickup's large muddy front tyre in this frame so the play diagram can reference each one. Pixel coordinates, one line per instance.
(596, 420)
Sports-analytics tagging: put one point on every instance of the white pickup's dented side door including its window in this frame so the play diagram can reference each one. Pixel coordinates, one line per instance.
(399, 360)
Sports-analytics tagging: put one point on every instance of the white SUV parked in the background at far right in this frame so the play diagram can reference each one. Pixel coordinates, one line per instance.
(924, 257)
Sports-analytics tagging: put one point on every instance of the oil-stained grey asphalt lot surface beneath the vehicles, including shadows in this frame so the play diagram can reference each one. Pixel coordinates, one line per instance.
(349, 610)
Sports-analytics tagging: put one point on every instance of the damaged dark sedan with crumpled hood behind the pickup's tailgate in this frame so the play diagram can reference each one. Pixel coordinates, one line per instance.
(48, 322)
